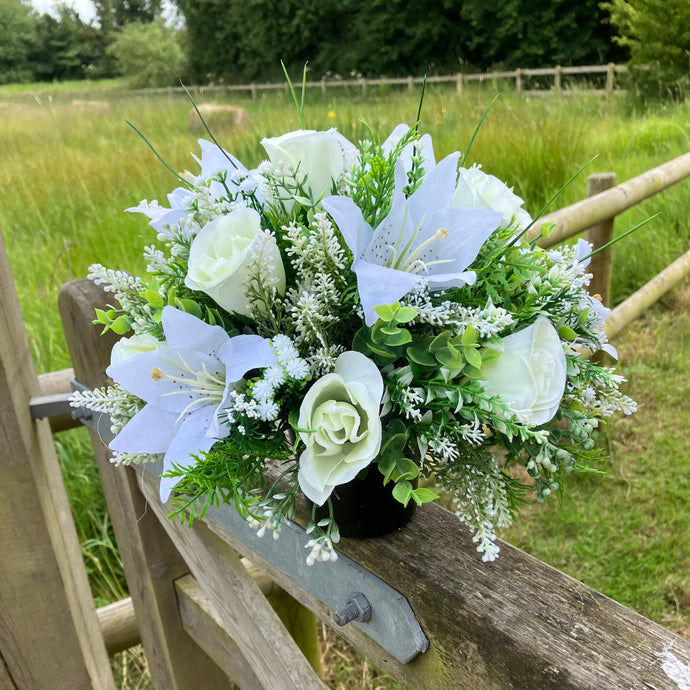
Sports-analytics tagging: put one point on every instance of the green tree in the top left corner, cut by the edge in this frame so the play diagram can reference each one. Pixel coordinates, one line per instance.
(17, 32)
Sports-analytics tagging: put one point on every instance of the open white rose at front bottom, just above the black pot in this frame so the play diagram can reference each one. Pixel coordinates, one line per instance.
(341, 426)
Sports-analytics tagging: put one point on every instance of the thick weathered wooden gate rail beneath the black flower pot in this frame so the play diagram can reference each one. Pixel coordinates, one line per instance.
(514, 623)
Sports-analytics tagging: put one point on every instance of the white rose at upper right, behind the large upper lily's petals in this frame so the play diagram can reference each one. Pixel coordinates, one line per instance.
(476, 189)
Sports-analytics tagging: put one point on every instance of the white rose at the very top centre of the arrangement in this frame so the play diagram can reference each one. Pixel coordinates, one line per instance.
(320, 156)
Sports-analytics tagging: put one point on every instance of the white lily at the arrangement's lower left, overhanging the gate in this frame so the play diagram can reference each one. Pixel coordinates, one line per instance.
(185, 383)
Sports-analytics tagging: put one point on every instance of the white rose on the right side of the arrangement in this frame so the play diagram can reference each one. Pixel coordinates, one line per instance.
(530, 373)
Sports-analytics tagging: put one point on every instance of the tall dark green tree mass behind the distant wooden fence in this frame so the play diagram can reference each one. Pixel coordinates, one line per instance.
(245, 41)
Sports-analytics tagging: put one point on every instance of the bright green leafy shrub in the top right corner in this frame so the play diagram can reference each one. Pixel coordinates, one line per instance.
(657, 33)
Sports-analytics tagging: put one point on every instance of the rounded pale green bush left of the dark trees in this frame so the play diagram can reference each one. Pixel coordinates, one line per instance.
(148, 55)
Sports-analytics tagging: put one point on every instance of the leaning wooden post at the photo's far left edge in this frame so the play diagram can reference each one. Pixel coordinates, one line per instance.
(49, 631)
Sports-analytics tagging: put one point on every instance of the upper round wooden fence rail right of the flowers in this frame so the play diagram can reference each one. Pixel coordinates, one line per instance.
(584, 214)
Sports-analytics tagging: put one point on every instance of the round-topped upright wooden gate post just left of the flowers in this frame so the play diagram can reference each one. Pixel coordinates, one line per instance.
(151, 562)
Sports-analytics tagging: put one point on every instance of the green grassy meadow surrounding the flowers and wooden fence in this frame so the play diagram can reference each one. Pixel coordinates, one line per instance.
(68, 174)
